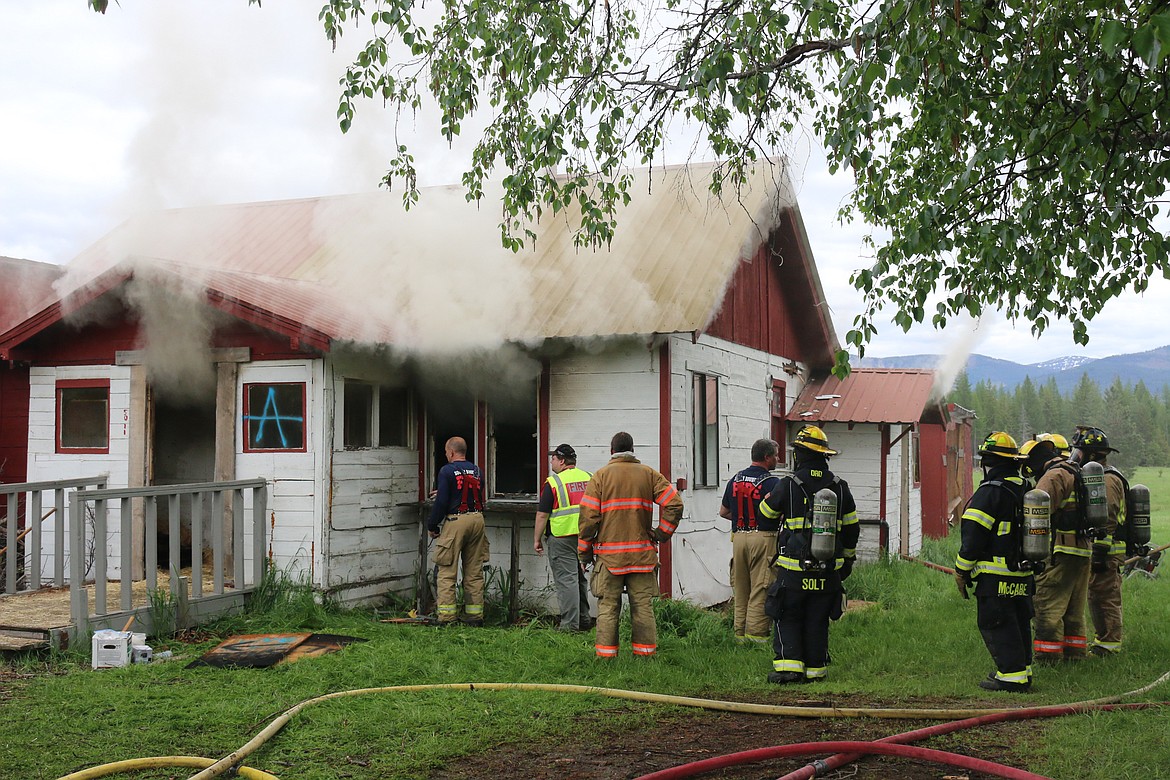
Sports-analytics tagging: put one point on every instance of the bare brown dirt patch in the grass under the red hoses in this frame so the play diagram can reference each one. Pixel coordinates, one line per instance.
(604, 754)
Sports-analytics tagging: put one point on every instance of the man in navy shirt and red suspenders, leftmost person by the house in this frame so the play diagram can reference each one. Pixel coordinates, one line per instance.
(457, 523)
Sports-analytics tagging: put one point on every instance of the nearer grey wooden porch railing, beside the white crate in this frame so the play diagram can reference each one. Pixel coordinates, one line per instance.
(190, 596)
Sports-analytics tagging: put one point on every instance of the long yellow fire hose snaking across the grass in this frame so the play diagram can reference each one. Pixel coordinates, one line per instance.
(216, 769)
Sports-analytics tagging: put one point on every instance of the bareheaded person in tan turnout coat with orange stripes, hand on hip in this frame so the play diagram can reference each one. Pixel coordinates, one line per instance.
(617, 526)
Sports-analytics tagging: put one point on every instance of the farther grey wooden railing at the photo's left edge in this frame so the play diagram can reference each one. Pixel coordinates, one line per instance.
(23, 544)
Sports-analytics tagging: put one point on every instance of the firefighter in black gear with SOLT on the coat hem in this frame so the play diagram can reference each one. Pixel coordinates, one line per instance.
(809, 508)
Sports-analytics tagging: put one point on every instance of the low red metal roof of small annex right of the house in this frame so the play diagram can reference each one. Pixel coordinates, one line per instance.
(870, 396)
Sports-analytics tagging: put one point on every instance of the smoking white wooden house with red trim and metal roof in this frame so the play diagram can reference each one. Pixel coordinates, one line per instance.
(332, 346)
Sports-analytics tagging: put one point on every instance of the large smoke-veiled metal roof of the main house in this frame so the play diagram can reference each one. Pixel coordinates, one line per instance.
(362, 268)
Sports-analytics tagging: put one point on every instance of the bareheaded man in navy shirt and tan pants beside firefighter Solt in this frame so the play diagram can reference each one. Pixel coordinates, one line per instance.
(753, 542)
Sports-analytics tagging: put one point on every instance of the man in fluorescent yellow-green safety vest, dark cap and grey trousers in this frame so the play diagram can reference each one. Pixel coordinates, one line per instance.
(556, 528)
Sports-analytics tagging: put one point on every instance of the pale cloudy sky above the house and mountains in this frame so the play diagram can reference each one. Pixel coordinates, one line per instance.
(171, 103)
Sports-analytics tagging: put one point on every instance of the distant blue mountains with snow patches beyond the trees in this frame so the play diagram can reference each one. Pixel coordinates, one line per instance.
(1151, 368)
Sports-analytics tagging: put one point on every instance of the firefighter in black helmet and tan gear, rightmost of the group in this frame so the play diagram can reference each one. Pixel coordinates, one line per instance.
(1091, 445)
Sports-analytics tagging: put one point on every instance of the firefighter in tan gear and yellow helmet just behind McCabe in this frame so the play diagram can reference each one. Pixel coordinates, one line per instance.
(1063, 586)
